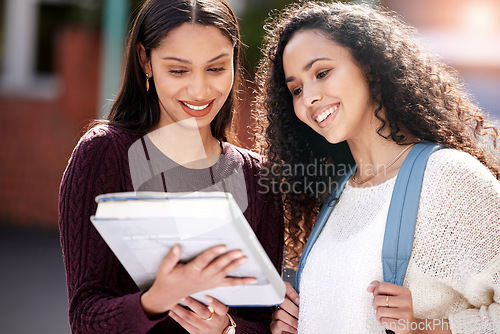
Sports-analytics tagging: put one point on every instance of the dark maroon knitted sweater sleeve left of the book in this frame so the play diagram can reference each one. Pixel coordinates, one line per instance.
(96, 280)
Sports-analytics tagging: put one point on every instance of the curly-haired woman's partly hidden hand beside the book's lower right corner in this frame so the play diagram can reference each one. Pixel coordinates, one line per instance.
(285, 319)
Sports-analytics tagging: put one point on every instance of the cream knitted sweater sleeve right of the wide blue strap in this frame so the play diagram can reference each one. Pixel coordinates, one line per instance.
(460, 238)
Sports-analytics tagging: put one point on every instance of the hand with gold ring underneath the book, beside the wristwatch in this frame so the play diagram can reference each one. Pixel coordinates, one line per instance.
(199, 318)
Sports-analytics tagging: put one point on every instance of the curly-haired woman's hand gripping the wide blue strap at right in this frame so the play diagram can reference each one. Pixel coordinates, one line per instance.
(394, 306)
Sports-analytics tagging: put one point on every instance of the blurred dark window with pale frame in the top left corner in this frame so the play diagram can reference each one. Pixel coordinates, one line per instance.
(29, 30)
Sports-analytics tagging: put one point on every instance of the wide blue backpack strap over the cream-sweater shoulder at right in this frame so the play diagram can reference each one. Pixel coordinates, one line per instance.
(402, 216)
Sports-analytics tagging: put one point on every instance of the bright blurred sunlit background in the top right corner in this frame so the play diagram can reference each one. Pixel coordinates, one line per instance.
(466, 34)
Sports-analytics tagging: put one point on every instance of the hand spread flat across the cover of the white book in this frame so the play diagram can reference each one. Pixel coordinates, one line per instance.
(176, 281)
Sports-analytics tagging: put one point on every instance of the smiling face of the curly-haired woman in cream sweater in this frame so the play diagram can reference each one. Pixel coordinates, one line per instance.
(330, 92)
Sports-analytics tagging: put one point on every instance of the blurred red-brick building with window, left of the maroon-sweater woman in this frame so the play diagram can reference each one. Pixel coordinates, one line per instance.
(50, 56)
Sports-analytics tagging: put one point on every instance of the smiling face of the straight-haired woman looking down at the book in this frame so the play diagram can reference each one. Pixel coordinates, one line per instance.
(193, 73)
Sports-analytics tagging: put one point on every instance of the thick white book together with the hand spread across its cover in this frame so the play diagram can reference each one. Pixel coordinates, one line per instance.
(176, 245)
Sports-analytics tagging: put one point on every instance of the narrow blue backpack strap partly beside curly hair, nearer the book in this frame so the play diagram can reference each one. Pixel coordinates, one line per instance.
(323, 215)
